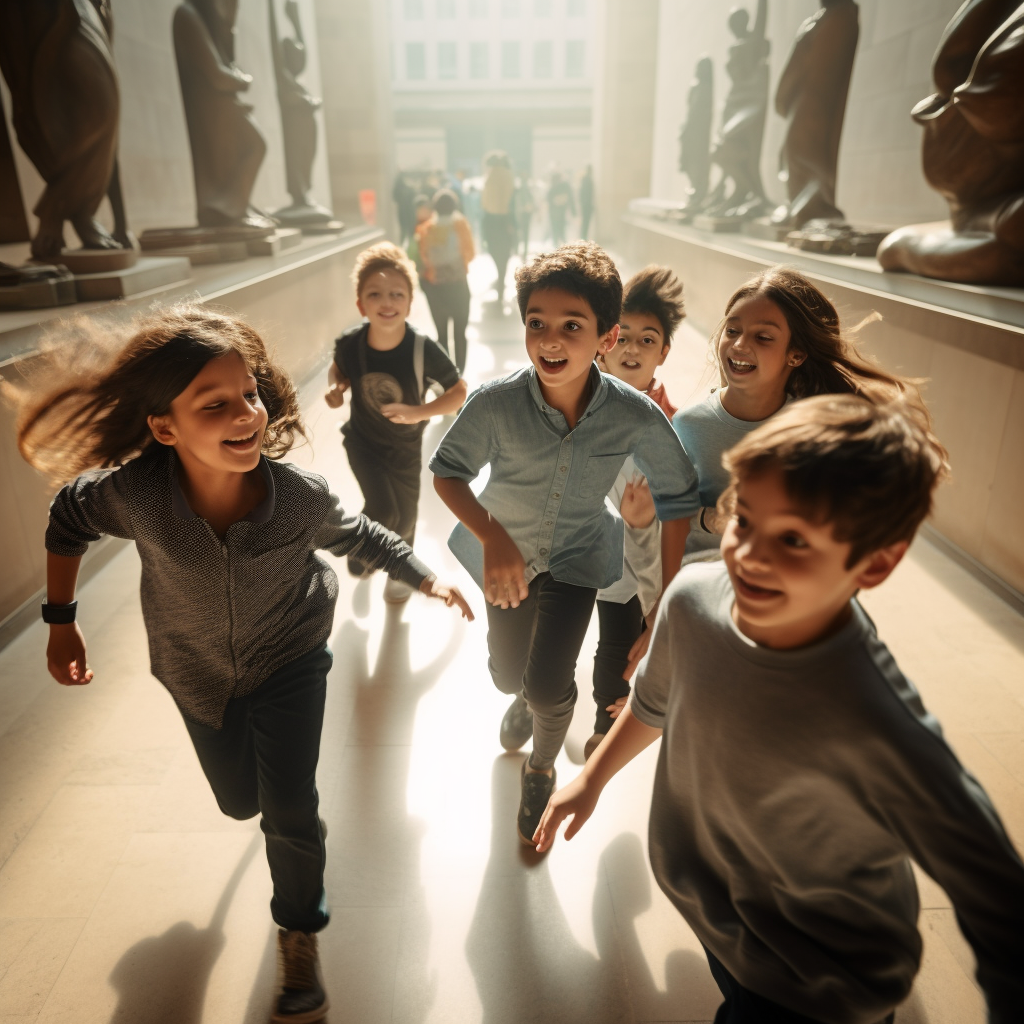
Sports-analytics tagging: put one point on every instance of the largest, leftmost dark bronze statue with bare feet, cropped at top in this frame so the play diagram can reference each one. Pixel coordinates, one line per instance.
(59, 65)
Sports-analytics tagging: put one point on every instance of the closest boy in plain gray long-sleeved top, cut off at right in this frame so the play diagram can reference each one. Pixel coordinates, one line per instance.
(800, 773)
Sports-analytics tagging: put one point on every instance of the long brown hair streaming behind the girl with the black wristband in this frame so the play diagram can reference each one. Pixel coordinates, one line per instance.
(95, 386)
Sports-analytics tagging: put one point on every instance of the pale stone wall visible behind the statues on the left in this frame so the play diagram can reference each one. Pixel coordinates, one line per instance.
(156, 164)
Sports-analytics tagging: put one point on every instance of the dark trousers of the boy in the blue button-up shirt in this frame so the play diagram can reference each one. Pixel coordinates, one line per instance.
(534, 650)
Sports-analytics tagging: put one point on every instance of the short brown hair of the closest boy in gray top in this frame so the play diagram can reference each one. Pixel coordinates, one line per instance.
(870, 470)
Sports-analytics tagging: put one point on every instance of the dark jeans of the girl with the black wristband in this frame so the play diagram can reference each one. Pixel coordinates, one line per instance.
(264, 761)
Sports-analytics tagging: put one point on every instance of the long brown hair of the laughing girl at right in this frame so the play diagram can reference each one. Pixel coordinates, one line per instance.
(832, 365)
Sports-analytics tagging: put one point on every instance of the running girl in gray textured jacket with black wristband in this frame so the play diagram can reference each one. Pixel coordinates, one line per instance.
(177, 432)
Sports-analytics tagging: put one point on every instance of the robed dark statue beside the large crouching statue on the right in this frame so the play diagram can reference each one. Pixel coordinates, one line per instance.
(812, 96)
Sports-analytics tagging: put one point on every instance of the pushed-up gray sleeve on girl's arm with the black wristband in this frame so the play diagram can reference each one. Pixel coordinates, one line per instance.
(87, 509)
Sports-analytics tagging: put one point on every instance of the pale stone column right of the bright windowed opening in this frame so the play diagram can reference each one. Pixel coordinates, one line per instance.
(624, 109)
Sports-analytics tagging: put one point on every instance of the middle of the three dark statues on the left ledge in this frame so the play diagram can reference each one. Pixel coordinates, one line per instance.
(228, 147)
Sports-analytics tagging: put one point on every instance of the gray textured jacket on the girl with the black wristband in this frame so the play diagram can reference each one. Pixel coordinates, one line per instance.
(223, 616)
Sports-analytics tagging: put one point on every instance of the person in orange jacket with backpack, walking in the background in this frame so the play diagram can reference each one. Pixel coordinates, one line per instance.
(446, 247)
